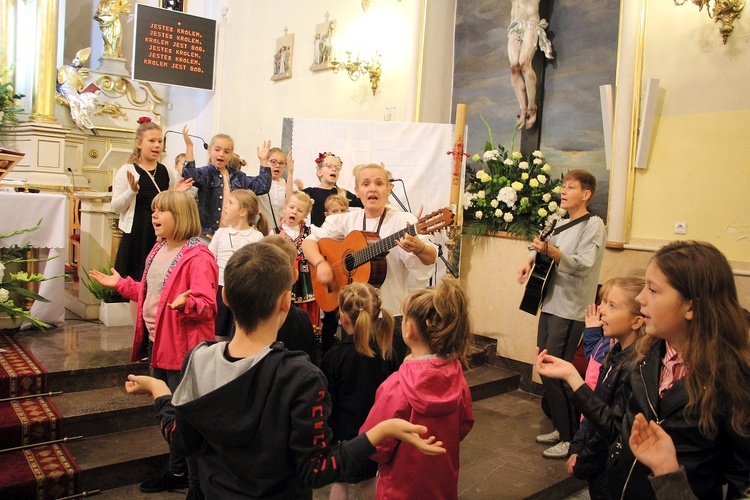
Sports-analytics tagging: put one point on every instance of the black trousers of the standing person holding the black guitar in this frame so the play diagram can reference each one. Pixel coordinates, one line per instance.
(560, 337)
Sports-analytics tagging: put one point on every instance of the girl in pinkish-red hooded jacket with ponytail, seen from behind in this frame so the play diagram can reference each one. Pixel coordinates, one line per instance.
(429, 389)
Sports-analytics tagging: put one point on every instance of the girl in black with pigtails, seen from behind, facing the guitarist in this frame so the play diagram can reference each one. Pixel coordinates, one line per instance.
(355, 368)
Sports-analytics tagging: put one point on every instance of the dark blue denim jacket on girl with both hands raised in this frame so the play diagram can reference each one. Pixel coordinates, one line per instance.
(210, 186)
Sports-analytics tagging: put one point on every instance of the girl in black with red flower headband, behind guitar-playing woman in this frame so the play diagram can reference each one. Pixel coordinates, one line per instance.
(327, 168)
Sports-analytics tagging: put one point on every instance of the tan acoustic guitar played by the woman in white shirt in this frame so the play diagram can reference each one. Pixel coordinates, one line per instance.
(361, 255)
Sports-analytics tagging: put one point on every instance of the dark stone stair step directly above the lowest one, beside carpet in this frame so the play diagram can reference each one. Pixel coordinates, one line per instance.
(104, 411)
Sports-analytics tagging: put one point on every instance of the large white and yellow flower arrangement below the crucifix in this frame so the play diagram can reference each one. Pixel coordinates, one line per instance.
(510, 193)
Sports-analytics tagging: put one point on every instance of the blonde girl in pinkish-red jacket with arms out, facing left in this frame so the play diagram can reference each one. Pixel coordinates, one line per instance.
(176, 302)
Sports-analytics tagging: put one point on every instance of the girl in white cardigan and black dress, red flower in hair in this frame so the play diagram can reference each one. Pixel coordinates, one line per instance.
(134, 188)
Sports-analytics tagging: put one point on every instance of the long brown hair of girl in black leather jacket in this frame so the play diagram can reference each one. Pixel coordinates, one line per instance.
(716, 352)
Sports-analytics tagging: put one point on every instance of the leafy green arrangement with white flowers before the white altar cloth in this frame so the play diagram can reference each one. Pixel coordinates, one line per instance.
(18, 283)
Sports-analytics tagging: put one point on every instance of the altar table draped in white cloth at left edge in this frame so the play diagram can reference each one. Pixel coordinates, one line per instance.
(23, 210)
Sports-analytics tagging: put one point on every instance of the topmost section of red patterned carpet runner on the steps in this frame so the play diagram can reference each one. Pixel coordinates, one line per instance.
(20, 373)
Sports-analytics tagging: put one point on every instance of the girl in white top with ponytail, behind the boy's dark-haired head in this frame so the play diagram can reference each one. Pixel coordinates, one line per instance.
(246, 225)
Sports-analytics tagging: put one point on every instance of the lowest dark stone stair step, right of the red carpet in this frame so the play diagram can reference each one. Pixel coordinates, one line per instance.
(114, 460)
